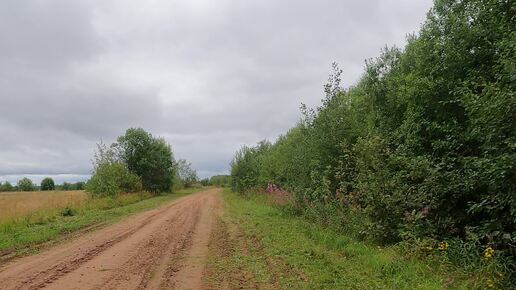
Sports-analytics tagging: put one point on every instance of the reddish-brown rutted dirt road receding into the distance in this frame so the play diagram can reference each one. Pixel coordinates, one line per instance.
(165, 248)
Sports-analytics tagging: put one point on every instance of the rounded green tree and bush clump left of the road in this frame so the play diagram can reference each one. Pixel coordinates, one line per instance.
(137, 161)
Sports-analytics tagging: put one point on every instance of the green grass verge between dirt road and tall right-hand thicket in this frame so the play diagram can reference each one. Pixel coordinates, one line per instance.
(267, 246)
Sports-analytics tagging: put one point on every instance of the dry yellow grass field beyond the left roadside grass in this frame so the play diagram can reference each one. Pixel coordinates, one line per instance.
(21, 204)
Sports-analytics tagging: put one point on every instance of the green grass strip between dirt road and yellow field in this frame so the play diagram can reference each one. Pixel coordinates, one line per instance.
(23, 234)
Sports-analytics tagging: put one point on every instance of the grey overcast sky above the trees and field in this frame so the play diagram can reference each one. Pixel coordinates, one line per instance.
(208, 76)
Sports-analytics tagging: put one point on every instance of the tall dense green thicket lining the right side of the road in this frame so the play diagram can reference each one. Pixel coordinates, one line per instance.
(421, 148)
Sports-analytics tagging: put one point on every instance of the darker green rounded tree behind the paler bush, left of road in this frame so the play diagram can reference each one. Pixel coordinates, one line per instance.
(148, 157)
